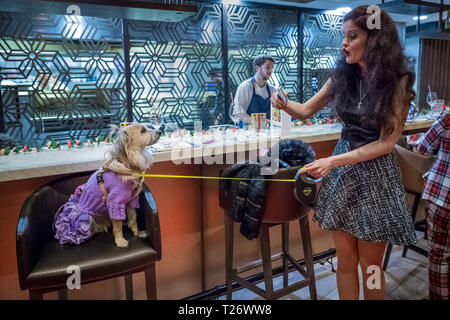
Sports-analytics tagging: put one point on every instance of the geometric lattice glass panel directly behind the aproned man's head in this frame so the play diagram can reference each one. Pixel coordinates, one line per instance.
(253, 31)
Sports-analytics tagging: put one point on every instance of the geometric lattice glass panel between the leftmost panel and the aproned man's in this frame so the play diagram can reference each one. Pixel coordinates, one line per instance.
(177, 68)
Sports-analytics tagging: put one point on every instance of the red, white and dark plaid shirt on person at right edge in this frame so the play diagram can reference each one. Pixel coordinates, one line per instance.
(437, 141)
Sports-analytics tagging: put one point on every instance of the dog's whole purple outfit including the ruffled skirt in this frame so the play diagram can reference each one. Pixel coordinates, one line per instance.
(73, 223)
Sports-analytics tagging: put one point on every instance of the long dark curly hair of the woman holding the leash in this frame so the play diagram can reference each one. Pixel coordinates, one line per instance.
(386, 64)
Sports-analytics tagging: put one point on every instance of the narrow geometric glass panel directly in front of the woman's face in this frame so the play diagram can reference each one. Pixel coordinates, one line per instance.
(322, 43)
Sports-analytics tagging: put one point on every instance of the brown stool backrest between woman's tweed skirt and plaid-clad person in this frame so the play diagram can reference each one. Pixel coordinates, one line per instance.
(412, 166)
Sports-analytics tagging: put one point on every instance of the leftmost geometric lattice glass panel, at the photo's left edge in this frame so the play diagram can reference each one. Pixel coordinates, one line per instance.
(62, 76)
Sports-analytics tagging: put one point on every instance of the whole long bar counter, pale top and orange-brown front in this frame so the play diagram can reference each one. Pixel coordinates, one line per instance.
(192, 223)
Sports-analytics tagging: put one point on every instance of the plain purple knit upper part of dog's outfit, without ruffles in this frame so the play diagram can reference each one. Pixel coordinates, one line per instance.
(120, 195)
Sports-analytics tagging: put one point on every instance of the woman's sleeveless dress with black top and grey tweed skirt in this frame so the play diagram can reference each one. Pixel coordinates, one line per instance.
(365, 199)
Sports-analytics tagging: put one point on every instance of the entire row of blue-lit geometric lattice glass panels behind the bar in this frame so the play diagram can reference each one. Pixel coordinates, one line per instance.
(63, 77)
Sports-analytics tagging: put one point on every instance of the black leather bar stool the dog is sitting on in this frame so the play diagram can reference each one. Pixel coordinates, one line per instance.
(42, 262)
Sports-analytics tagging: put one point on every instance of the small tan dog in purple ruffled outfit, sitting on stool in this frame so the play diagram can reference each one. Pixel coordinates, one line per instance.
(111, 194)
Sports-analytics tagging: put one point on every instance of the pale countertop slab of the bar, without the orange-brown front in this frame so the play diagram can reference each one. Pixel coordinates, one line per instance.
(54, 162)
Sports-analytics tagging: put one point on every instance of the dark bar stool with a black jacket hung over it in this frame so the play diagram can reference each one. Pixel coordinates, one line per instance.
(280, 207)
